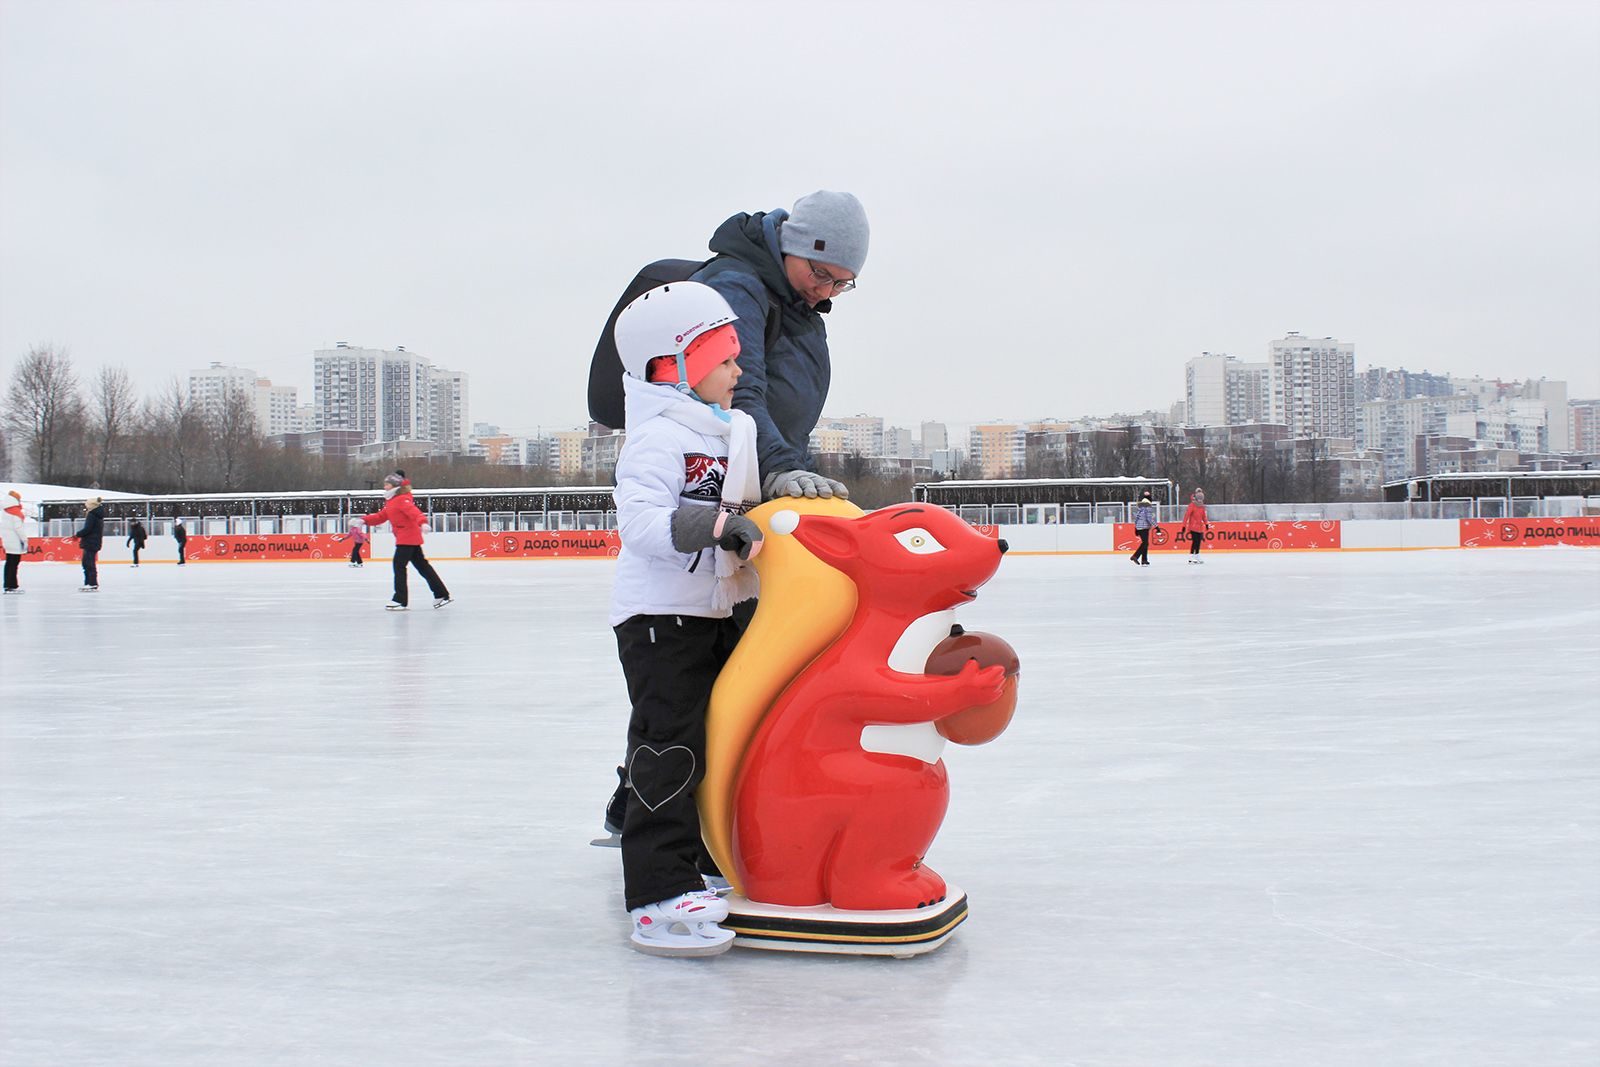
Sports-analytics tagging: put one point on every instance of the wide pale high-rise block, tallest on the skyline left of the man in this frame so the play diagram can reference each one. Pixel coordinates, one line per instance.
(390, 396)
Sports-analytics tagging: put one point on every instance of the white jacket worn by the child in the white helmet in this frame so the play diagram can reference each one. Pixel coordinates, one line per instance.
(665, 466)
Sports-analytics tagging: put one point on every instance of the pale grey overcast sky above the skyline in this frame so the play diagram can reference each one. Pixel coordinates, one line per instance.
(1068, 201)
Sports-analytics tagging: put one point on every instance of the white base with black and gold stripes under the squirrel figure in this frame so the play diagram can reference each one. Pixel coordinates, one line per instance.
(895, 933)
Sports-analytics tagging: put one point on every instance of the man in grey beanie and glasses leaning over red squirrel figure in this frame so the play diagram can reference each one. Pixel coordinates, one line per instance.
(794, 265)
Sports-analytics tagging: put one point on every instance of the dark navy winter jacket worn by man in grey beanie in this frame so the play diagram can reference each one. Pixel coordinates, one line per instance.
(783, 390)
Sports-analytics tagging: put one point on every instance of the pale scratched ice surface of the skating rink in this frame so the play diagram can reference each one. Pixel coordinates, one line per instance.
(1271, 810)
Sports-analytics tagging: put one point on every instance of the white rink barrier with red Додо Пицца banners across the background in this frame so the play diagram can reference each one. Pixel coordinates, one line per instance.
(1044, 540)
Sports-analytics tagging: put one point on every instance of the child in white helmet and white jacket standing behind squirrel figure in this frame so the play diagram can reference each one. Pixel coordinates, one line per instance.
(684, 482)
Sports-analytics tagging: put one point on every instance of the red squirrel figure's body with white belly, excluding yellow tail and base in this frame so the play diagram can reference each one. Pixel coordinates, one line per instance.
(842, 791)
